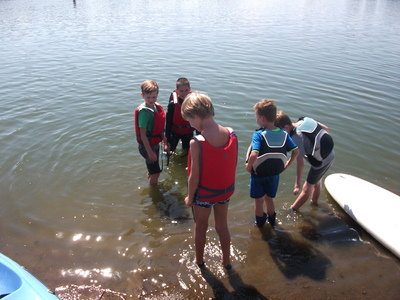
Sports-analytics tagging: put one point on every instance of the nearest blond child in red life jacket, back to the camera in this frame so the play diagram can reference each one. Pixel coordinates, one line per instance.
(212, 164)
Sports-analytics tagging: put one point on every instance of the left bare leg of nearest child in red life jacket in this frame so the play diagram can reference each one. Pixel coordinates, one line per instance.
(200, 230)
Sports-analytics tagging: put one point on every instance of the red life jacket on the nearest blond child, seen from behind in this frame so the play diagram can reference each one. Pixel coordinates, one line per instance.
(217, 169)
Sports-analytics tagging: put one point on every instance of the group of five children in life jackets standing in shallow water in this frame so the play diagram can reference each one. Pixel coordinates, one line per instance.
(213, 156)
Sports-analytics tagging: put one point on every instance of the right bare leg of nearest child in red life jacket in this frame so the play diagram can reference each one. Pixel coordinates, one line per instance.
(221, 226)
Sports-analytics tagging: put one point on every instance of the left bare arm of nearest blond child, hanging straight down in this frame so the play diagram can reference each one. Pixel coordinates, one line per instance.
(194, 176)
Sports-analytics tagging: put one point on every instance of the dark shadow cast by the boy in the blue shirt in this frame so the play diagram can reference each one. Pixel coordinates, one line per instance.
(294, 258)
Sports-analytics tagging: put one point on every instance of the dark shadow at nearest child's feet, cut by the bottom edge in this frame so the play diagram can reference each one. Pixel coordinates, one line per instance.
(241, 289)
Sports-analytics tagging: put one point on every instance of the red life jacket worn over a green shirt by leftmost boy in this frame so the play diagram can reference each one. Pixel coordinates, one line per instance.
(158, 127)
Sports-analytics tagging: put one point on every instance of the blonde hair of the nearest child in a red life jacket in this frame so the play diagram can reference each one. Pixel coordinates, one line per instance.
(197, 104)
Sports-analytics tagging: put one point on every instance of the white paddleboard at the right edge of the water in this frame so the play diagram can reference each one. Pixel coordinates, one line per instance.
(374, 208)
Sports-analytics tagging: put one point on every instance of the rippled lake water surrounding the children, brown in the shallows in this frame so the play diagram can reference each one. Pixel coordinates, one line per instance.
(75, 205)
